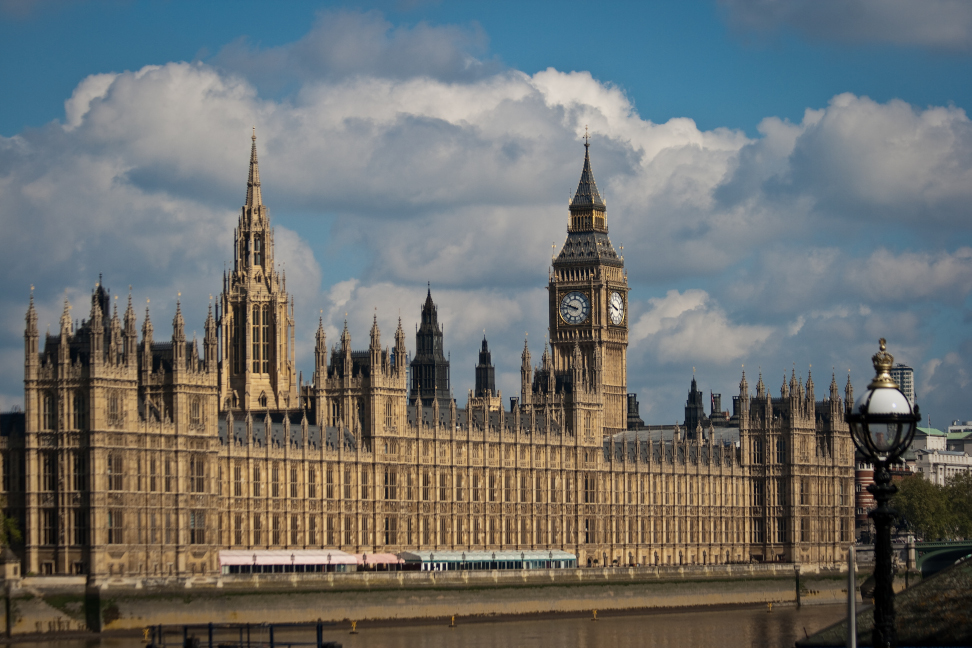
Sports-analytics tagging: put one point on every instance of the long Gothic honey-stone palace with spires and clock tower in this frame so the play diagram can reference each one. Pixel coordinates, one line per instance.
(141, 455)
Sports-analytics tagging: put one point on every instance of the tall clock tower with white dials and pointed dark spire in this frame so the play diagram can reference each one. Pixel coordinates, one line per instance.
(589, 298)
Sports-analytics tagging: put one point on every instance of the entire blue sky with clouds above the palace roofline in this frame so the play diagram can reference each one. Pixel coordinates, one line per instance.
(790, 181)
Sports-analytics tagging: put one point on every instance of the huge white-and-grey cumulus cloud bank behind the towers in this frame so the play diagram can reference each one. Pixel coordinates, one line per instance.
(437, 166)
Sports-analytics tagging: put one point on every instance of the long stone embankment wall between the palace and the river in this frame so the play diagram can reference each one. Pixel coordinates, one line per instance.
(41, 605)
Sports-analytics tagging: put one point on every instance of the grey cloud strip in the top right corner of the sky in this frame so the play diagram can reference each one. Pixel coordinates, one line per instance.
(935, 24)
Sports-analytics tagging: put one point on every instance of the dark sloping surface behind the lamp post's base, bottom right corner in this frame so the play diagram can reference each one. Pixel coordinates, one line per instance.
(936, 612)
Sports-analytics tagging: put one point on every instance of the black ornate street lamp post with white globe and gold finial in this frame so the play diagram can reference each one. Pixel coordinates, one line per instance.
(882, 425)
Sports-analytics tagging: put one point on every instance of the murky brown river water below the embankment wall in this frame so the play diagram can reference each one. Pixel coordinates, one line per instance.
(749, 627)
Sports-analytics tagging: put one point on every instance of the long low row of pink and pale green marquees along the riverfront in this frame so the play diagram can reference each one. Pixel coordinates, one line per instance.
(333, 560)
